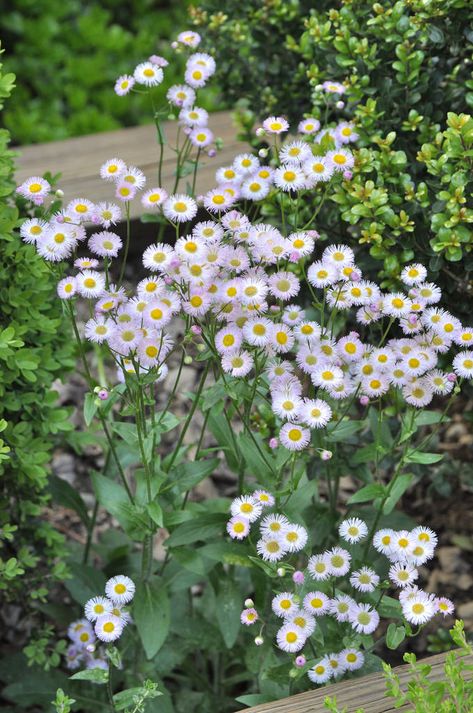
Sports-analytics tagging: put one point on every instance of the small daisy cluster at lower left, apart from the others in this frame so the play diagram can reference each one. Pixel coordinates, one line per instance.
(104, 620)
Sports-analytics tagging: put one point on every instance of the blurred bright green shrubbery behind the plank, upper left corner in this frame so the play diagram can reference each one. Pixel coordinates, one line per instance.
(67, 55)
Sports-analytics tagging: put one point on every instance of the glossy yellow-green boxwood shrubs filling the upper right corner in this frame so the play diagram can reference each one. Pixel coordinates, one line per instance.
(405, 66)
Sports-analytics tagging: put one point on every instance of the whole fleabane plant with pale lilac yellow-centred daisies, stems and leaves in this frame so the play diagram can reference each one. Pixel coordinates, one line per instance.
(298, 352)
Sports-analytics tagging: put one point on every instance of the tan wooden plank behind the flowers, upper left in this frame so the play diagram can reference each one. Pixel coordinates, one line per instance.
(79, 159)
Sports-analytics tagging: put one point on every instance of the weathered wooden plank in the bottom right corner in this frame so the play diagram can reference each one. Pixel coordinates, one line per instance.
(367, 692)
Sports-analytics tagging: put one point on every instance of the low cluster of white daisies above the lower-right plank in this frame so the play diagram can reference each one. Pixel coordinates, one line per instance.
(341, 599)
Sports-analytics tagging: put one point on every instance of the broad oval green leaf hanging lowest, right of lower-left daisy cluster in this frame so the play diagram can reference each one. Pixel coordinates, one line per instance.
(152, 616)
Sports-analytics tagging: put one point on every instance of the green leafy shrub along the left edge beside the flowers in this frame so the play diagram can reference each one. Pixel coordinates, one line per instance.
(35, 349)
